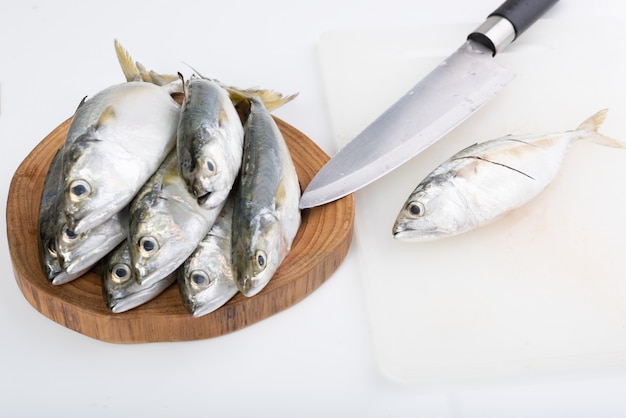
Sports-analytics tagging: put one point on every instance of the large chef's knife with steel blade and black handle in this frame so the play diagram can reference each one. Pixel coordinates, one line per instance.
(455, 89)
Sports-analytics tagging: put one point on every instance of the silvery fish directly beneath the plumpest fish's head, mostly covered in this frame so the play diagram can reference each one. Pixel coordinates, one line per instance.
(80, 252)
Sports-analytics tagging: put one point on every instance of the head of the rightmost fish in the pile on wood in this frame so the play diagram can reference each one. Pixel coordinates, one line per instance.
(257, 254)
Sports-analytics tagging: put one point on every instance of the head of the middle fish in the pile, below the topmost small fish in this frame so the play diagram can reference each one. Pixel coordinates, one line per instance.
(163, 233)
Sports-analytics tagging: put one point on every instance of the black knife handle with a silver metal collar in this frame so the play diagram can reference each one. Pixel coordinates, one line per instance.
(508, 22)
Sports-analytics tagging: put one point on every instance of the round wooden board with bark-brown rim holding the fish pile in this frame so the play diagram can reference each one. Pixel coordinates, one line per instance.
(318, 249)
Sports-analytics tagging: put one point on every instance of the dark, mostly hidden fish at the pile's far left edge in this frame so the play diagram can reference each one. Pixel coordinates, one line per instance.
(48, 219)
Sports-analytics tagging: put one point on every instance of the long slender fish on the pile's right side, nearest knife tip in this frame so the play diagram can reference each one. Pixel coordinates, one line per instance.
(266, 214)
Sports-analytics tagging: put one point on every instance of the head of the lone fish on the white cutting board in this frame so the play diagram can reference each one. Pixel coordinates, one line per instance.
(435, 209)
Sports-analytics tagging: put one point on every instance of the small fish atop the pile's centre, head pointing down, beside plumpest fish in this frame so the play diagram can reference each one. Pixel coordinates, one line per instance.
(210, 141)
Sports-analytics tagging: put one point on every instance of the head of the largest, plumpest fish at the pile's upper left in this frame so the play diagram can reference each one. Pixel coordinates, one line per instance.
(95, 181)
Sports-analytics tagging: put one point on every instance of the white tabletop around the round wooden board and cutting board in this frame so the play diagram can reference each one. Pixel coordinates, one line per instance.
(315, 359)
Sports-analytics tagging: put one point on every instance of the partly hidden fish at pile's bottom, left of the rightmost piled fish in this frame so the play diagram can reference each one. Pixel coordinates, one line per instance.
(205, 280)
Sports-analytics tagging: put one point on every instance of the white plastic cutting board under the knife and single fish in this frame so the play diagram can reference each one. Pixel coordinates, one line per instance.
(540, 291)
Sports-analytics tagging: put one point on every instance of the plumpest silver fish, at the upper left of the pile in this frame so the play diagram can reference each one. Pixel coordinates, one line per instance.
(115, 141)
